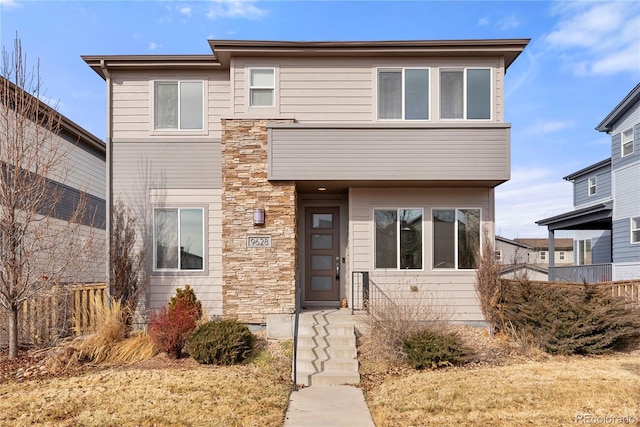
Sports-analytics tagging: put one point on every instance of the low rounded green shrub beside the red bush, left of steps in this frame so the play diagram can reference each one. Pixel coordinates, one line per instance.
(222, 342)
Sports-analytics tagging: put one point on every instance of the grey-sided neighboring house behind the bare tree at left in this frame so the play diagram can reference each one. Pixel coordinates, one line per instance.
(81, 171)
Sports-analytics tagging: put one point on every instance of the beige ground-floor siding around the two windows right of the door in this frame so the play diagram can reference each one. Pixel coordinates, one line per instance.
(454, 287)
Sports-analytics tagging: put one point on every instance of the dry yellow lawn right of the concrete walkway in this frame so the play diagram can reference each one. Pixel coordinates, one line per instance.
(504, 389)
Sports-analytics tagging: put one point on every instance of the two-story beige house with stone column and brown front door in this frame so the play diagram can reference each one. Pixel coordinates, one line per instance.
(313, 161)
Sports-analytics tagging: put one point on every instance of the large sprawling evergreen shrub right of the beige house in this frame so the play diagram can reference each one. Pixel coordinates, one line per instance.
(570, 319)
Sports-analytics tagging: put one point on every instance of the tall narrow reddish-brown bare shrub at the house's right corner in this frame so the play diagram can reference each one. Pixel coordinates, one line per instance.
(488, 285)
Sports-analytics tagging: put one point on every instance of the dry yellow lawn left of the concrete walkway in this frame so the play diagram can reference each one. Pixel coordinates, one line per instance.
(157, 392)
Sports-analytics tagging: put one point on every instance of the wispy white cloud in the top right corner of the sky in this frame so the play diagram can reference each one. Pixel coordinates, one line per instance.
(597, 37)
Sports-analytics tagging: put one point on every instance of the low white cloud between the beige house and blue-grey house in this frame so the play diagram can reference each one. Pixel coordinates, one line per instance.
(532, 194)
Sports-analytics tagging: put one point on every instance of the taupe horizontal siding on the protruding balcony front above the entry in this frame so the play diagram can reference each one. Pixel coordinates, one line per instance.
(402, 153)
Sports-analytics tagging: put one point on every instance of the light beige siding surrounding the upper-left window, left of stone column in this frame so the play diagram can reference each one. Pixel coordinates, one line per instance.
(132, 100)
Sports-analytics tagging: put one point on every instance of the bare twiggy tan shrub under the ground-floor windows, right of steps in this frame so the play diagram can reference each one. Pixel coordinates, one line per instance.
(398, 315)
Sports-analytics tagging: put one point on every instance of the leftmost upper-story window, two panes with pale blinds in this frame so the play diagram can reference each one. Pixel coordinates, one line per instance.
(179, 105)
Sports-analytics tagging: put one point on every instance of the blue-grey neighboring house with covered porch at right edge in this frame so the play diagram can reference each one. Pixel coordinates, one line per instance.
(606, 199)
